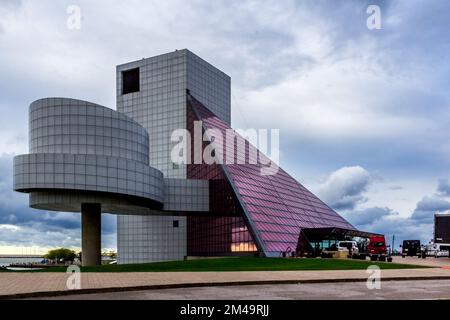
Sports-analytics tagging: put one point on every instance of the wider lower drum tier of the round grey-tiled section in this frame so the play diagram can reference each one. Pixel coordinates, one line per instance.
(83, 175)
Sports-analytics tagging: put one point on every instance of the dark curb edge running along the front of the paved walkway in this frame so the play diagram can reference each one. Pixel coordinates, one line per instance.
(43, 294)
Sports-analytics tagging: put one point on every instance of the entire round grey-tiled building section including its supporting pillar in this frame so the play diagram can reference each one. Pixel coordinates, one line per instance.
(86, 157)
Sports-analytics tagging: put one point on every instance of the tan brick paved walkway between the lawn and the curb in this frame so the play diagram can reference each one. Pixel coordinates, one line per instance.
(27, 284)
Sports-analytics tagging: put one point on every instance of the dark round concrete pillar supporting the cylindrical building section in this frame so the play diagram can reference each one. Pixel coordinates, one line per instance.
(91, 222)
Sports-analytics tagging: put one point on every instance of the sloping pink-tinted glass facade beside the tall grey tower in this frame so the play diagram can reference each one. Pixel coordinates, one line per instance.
(270, 210)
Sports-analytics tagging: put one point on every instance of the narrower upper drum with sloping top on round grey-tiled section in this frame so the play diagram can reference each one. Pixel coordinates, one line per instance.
(61, 125)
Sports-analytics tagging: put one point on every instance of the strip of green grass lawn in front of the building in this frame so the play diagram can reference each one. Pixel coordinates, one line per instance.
(240, 264)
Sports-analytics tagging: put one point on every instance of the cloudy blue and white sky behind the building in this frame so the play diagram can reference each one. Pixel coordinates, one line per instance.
(363, 114)
